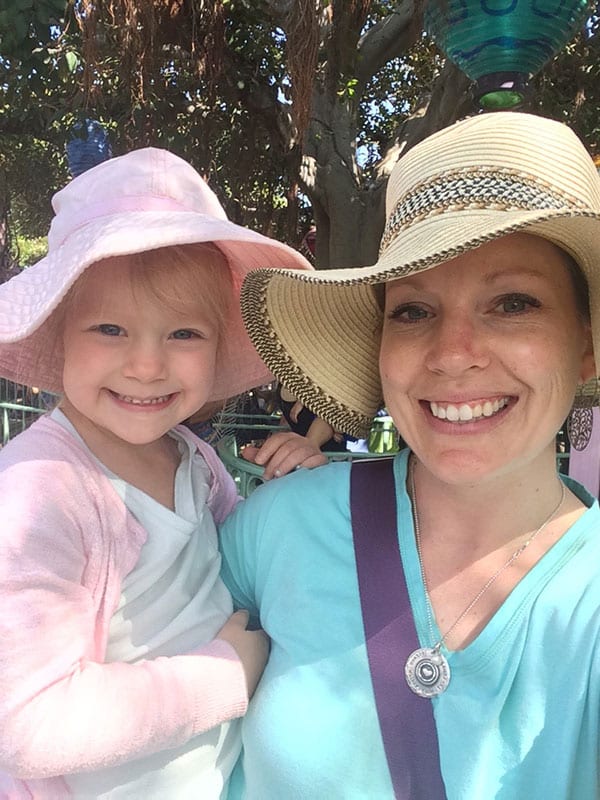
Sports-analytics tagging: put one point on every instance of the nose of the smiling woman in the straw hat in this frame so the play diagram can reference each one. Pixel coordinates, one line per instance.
(457, 344)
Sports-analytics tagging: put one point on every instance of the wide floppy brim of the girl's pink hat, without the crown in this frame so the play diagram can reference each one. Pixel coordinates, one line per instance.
(28, 300)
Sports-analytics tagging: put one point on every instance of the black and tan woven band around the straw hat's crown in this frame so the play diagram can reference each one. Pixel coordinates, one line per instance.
(472, 188)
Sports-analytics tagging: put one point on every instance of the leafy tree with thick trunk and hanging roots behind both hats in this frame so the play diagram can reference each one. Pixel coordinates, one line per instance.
(290, 108)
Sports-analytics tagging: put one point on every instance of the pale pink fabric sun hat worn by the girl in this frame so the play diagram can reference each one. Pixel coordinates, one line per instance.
(141, 201)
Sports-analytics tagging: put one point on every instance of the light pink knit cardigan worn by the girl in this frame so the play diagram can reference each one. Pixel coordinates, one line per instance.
(66, 542)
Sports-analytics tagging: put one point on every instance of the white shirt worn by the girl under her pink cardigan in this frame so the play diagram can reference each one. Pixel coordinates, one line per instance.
(171, 602)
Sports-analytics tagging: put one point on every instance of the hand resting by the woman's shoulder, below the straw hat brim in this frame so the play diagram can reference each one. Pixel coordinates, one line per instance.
(283, 452)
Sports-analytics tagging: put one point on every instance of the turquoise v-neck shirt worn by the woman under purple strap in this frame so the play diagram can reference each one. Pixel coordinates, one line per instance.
(520, 718)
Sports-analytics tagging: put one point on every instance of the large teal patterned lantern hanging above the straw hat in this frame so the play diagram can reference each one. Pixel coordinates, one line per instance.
(500, 44)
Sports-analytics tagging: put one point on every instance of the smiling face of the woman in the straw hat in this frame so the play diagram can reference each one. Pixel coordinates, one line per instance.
(480, 358)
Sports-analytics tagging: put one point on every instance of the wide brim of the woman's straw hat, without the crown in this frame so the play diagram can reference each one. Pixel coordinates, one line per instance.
(319, 332)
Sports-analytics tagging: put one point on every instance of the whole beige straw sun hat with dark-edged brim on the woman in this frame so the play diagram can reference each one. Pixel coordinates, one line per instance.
(473, 182)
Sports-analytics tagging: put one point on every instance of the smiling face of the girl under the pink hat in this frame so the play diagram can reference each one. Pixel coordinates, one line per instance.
(134, 367)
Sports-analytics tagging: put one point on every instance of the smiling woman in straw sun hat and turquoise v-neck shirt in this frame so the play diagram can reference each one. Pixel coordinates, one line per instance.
(474, 329)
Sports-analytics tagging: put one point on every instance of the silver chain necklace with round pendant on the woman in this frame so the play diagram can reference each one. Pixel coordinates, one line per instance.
(427, 670)
